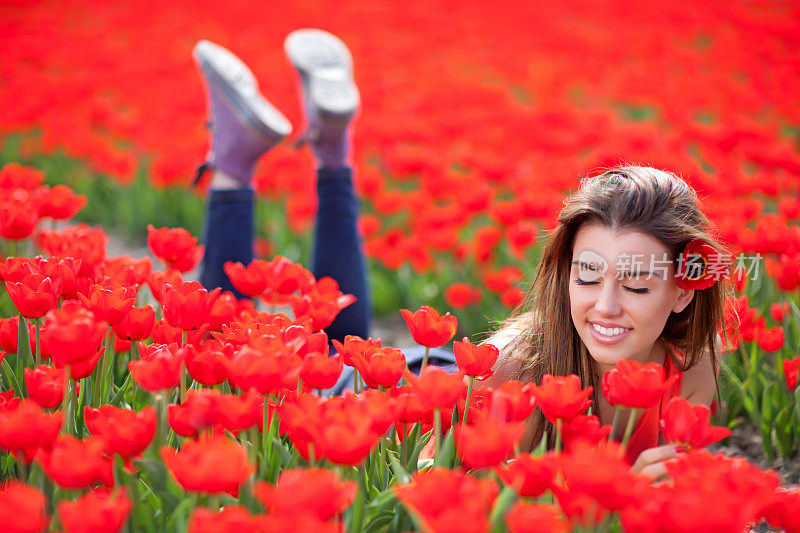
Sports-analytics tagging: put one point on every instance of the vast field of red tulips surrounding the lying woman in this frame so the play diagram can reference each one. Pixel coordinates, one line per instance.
(133, 399)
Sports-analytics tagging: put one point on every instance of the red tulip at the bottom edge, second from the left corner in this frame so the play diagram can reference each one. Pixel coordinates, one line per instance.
(98, 510)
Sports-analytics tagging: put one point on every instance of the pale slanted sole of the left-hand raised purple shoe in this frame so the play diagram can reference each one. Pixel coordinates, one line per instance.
(226, 73)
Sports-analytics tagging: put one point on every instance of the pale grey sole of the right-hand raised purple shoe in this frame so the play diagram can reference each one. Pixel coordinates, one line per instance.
(325, 66)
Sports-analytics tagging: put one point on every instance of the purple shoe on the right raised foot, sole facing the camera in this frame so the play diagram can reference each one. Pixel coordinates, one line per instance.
(330, 96)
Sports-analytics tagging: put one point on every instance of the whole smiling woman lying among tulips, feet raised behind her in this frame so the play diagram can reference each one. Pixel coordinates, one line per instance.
(605, 288)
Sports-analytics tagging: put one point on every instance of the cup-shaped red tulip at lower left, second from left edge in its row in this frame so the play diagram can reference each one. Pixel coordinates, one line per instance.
(124, 431)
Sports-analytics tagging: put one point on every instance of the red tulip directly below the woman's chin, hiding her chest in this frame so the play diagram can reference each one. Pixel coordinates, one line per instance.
(635, 385)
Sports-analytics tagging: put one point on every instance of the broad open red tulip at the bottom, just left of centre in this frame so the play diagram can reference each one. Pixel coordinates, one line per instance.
(307, 491)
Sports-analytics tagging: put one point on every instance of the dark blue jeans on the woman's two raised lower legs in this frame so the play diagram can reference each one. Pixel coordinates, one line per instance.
(229, 233)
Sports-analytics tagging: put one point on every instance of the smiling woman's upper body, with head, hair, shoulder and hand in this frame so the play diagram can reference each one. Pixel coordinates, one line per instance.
(606, 289)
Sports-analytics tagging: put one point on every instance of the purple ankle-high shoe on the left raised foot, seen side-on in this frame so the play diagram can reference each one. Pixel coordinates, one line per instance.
(243, 124)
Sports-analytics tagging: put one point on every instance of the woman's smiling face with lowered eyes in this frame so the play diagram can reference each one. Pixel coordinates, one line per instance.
(621, 292)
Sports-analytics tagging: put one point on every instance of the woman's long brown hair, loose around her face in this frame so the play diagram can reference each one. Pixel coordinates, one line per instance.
(632, 198)
